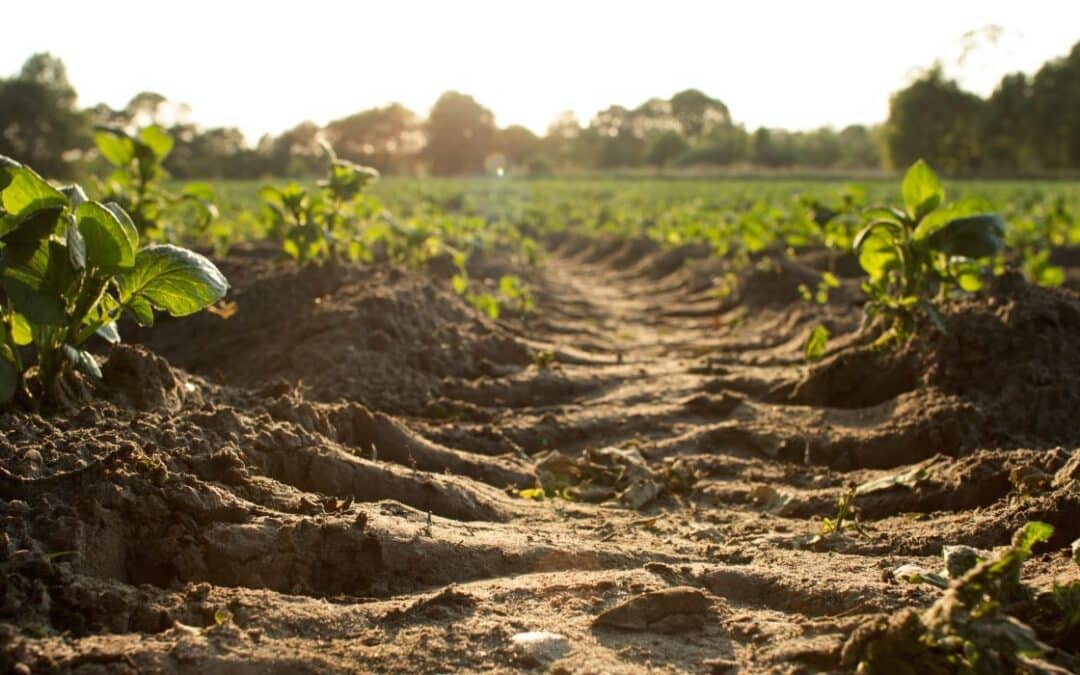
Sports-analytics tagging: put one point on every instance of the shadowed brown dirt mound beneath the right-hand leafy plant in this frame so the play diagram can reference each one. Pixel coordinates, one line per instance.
(1011, 354)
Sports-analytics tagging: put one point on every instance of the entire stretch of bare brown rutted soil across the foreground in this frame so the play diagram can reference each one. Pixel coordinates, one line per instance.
(332, 478)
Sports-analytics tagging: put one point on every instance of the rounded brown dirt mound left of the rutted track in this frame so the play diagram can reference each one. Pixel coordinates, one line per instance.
(382, 336)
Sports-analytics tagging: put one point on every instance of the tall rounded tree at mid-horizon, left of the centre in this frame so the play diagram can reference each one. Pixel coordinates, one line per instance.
(461, 134)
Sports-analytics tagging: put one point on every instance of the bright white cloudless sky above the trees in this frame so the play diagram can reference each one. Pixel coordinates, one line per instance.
(265, 67)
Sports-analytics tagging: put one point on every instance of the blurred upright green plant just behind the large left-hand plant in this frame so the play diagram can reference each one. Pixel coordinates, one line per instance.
(137, 183)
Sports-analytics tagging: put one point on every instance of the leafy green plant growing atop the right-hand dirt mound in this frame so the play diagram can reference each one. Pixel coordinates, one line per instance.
(916, 255)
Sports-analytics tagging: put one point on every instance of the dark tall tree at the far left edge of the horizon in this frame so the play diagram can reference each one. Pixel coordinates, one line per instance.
(39, 124)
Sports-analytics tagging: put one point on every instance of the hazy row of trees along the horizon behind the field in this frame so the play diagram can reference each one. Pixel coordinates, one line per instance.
(1029, 125)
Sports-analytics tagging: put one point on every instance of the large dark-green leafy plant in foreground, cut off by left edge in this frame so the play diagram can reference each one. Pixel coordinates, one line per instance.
(70, 267)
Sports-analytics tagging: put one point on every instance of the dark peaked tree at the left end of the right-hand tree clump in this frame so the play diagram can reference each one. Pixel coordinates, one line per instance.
(934, 119)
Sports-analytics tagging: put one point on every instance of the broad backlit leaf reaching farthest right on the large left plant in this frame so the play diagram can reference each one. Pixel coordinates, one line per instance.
(175, 280)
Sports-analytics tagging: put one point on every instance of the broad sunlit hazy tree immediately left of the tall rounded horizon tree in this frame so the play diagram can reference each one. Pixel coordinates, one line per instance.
(388, 139)
